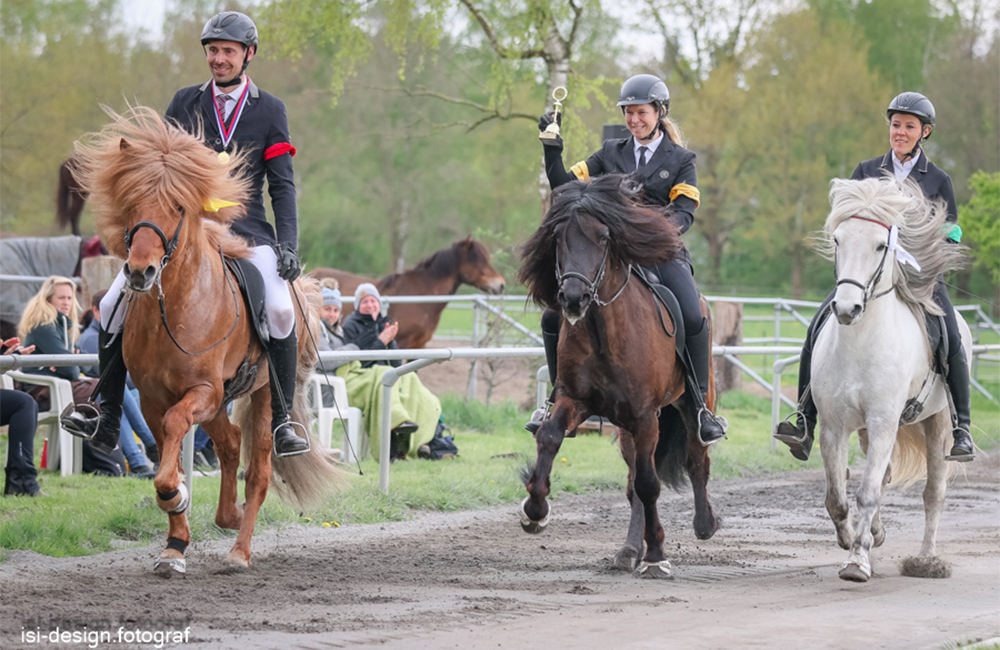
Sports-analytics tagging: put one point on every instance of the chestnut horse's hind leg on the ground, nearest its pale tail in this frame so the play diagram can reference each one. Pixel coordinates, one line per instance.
(257, 477)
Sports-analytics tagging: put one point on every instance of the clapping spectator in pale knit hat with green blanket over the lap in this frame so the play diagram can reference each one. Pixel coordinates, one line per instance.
(415, 410)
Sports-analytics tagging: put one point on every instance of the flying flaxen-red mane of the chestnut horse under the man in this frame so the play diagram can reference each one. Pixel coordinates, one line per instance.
(140, 162)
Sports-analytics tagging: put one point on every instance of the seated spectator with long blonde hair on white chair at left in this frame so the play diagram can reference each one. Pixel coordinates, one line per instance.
(49, 323)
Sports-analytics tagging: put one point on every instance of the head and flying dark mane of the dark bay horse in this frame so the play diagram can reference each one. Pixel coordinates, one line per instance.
(592, 232)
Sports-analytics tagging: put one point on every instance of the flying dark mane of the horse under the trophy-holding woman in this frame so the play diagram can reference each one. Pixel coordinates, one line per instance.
(638, 234)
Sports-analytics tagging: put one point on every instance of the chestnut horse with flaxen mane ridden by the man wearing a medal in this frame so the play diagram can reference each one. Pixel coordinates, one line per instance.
(155, 190)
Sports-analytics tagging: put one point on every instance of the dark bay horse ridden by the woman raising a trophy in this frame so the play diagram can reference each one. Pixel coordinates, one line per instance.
(615, 358)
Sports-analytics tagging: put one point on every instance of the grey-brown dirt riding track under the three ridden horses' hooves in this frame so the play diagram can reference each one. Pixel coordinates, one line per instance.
(768, 579)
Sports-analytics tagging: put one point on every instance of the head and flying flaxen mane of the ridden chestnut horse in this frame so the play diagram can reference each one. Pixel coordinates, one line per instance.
(156, 188)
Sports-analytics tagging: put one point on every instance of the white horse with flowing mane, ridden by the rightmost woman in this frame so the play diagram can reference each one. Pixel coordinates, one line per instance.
(888, 249)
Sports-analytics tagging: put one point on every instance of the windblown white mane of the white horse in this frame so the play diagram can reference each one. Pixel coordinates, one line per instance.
(920, 222)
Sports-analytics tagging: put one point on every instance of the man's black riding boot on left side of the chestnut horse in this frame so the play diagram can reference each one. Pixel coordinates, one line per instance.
(103, 431)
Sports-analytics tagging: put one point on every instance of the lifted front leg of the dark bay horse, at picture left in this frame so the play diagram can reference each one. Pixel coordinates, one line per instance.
(549, 437)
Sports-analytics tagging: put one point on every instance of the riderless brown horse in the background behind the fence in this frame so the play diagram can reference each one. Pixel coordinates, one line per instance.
(464, 262)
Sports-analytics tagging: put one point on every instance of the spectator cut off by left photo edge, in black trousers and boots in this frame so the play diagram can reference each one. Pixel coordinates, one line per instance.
(19, 413)
